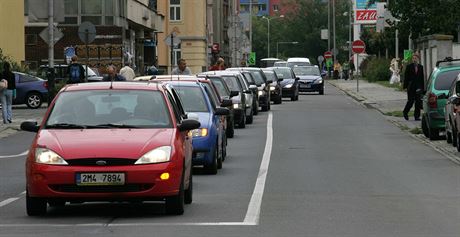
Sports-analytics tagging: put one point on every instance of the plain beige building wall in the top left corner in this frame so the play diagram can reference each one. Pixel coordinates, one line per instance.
(12, 29)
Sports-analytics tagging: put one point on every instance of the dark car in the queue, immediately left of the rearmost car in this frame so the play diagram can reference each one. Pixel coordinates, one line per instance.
(290, 83)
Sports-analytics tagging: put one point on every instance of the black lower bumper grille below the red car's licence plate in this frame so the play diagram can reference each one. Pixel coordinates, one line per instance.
(100, 189)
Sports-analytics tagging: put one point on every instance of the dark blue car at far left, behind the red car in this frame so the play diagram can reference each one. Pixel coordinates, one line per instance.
(30, 90)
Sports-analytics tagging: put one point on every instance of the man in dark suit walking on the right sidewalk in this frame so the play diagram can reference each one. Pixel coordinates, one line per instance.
(414, 84)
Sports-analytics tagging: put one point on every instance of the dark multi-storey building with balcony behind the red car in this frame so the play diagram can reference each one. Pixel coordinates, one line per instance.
(125, 31)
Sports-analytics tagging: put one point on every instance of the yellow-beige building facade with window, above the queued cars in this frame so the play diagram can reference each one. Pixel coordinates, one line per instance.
(186, 20)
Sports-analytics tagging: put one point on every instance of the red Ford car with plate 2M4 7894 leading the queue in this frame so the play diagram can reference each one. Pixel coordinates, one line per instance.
(120, 141)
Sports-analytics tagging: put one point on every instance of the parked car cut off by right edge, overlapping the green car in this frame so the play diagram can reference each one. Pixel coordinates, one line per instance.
(452, 109)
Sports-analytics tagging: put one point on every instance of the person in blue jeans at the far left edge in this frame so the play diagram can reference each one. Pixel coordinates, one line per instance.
(8, 94)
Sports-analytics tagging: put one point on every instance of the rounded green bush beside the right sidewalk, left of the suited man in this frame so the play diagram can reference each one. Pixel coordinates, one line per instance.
(376, 69)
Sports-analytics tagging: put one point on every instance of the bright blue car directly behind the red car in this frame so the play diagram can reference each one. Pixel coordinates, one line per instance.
(209, 139)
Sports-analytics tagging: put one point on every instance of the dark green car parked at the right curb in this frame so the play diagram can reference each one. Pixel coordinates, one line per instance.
(434, 100)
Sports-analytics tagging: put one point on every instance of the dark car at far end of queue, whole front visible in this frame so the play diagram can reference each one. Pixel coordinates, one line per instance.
(310, 79)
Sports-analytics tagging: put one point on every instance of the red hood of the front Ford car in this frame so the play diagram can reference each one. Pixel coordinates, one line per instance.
(104, 143)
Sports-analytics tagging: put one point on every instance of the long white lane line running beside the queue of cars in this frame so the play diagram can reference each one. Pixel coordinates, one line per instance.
(253, 213)
